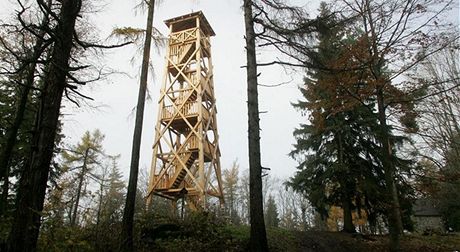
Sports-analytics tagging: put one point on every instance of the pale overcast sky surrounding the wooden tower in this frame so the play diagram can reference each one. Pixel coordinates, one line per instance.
(118, 96)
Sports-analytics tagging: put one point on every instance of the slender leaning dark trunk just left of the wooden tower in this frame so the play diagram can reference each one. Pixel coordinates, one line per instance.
(126, 237)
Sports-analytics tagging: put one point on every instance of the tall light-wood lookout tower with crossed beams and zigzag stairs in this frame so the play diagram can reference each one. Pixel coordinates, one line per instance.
(186, 155)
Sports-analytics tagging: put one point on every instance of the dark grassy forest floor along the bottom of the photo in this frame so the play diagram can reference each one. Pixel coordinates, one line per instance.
(205, 232)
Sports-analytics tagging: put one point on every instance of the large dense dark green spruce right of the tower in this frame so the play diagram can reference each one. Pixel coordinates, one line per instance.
(340, 149)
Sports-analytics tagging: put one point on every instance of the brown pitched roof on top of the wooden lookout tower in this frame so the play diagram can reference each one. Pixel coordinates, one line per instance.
(188, 21)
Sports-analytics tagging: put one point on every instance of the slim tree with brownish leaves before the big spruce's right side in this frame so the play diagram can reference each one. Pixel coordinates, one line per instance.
(385, 39)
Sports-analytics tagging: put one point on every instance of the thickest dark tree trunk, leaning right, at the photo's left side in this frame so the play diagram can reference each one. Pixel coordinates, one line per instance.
(32, 184)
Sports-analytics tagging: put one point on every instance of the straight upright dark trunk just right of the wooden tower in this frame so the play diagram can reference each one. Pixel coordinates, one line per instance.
(258, 239)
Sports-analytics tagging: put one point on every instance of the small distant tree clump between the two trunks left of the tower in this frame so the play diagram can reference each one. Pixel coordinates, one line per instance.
(84, 169)
